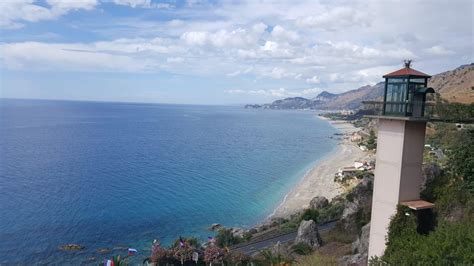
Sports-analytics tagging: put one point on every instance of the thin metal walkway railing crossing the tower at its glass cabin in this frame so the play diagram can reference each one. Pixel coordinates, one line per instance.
(441, 111)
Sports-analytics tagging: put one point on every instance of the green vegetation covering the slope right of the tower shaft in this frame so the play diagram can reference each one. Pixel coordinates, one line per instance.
(445, 237)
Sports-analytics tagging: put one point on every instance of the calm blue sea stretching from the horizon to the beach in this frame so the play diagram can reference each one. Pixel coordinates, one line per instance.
(112, 176)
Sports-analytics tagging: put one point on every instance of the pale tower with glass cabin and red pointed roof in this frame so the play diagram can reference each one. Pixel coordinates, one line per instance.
(400, 145)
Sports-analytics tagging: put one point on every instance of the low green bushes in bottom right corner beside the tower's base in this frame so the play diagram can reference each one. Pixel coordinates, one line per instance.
(449, 244)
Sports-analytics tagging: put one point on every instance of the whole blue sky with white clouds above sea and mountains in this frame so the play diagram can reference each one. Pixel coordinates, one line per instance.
(222, 52)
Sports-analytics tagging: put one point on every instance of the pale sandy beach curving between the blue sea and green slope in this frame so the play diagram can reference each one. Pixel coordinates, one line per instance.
(319, 181)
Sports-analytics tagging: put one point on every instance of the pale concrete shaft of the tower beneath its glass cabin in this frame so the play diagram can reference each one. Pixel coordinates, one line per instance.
(398, 174)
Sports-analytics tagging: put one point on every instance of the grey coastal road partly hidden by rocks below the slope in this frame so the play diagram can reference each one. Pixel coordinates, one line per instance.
(284, 238)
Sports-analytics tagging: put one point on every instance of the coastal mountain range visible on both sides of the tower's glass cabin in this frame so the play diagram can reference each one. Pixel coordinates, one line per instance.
(455, 86)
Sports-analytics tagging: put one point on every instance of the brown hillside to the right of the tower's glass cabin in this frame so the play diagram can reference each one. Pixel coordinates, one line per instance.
(455, 85)
